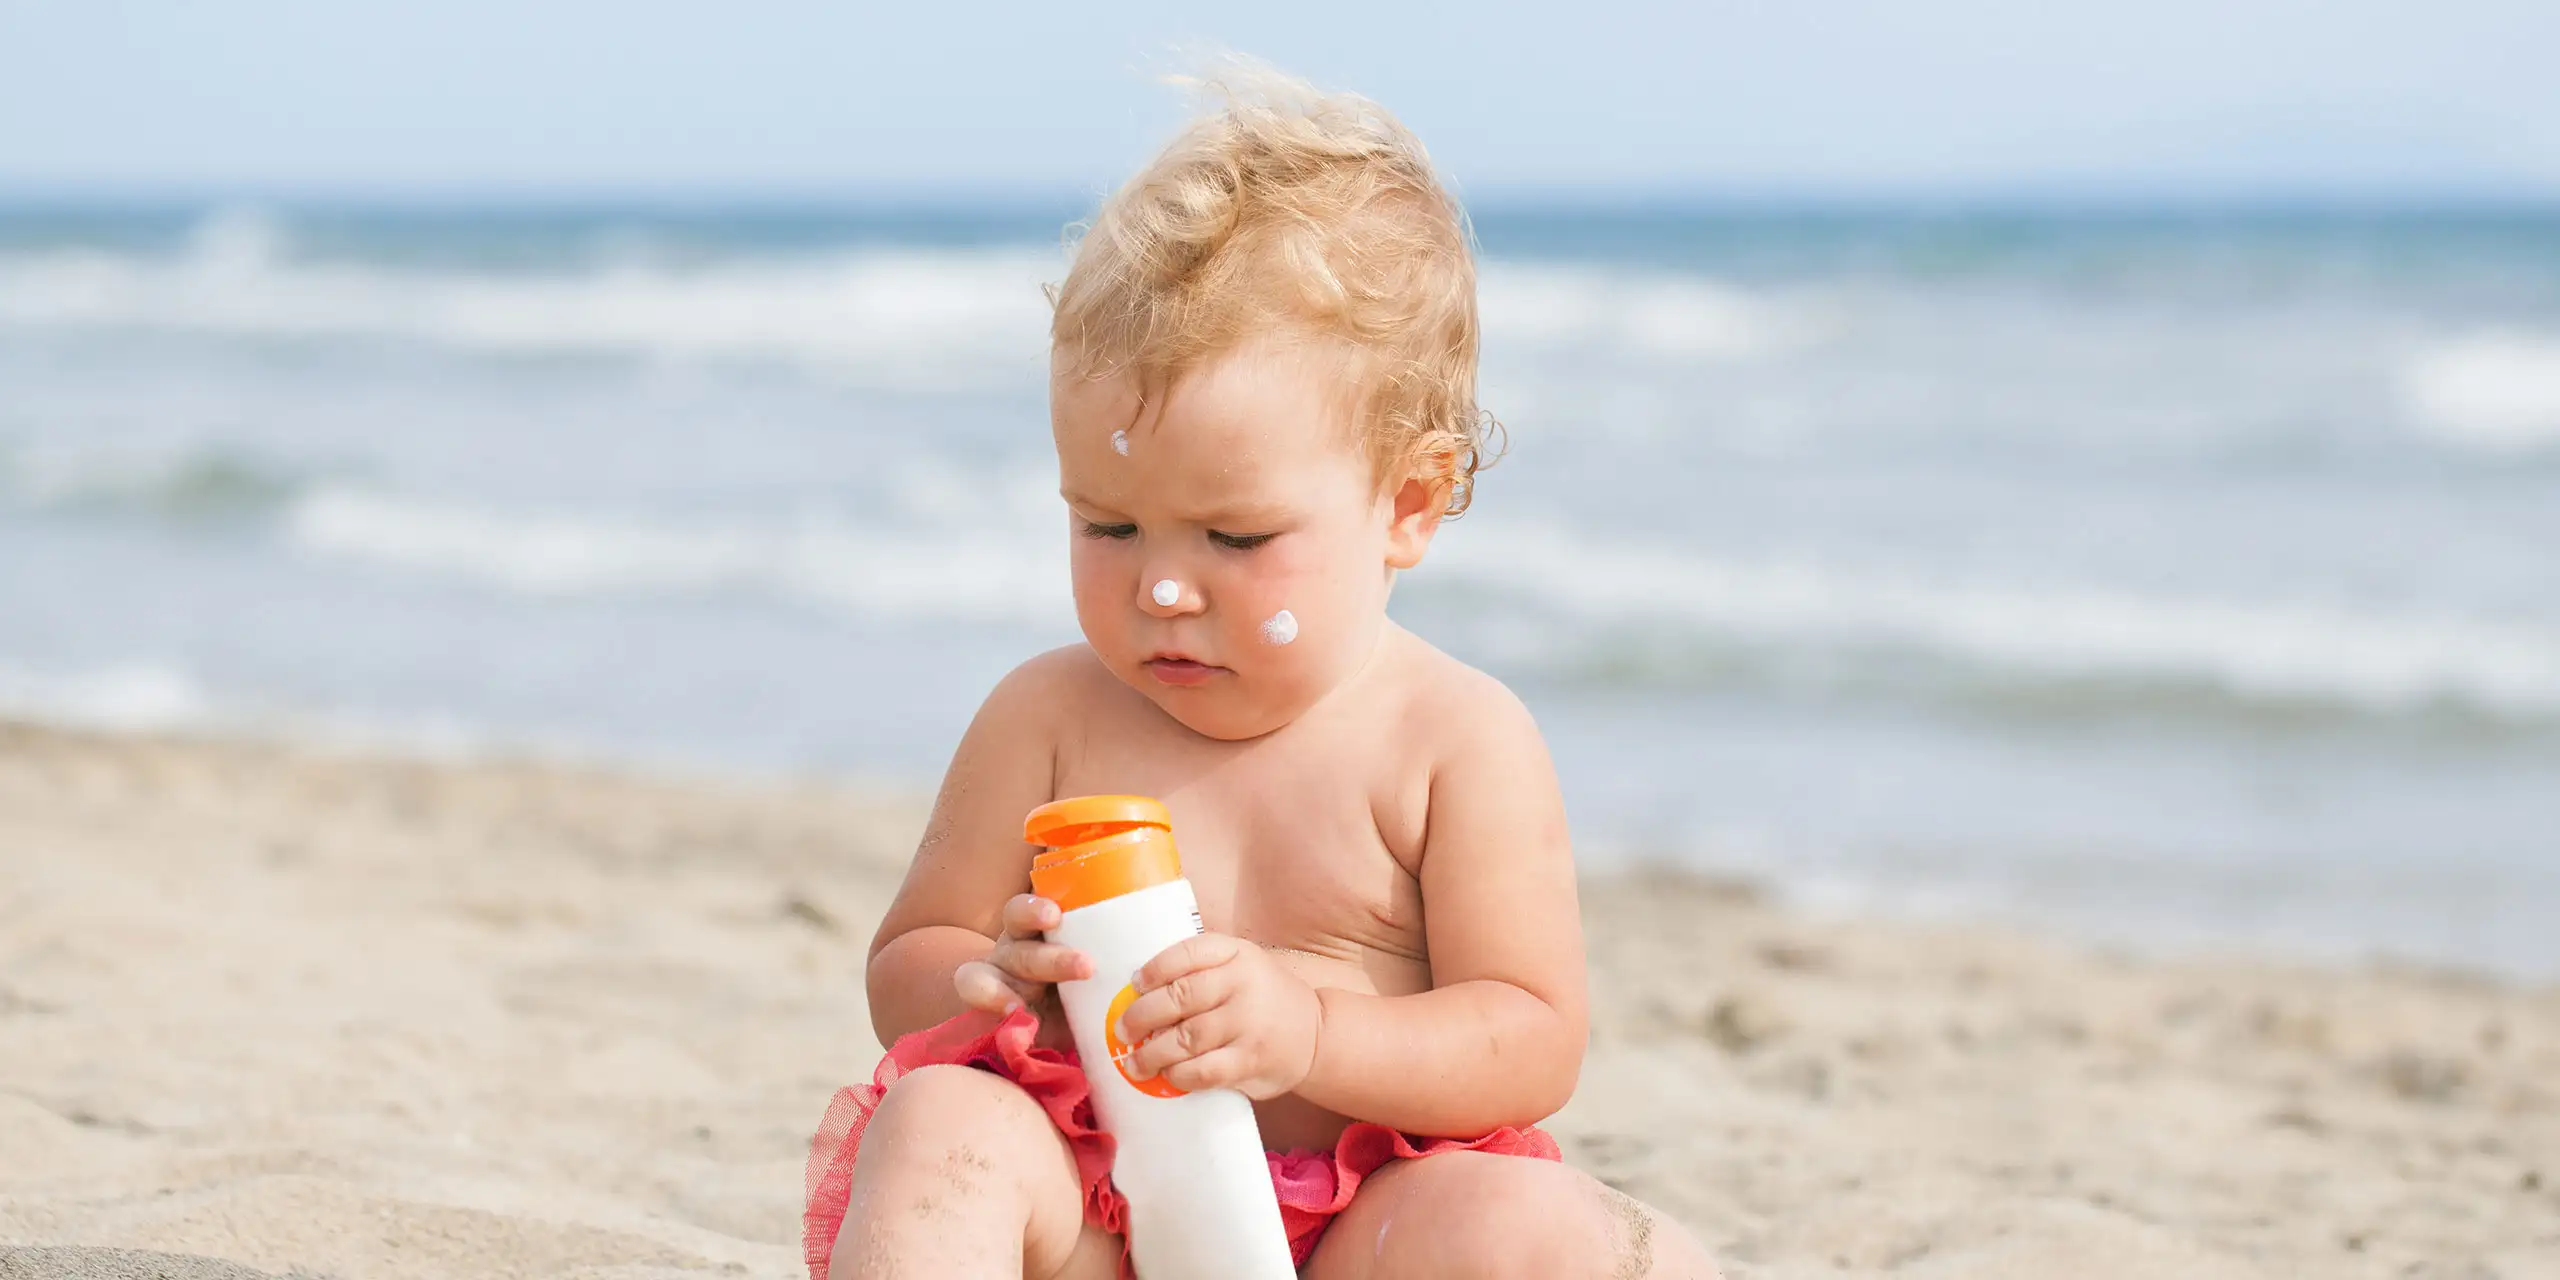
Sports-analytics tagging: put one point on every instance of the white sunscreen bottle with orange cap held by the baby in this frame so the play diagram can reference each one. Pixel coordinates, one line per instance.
(1192, 1166)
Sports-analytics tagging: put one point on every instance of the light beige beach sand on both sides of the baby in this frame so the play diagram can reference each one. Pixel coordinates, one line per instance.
(270, 1010)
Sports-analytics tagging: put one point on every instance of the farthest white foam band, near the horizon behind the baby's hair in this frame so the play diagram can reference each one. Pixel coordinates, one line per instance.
(884, 316)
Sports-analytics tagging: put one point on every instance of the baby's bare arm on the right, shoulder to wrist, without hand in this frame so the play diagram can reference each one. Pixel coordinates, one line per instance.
(1499, 1038)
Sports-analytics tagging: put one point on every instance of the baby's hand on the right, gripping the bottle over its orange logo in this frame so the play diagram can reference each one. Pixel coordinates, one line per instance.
(1217, 1012)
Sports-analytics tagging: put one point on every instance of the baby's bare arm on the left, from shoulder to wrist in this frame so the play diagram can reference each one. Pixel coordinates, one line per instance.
(972, 861)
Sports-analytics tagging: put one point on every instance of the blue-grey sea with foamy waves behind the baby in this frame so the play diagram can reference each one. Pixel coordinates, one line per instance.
(2164, 577)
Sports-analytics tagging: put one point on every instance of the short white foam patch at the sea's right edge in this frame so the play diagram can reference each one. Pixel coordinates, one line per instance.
(2495, 393)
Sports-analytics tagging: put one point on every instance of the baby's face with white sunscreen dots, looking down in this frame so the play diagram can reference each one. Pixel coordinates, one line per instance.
(1233, 544)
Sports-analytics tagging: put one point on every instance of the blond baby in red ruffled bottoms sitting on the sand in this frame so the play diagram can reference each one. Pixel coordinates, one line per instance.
(1263, 403)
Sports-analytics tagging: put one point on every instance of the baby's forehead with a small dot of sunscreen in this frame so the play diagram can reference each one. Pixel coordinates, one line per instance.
(1230, 431)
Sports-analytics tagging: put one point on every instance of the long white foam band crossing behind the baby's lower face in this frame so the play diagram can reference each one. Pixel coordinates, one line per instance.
(2006, 634)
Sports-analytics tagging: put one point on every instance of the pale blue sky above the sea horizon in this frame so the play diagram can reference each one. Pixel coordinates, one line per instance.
(562, 99)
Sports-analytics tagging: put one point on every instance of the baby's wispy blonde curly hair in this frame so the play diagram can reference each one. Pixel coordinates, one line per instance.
(1289, 209)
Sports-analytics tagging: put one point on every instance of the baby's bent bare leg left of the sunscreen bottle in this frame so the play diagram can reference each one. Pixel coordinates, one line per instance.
(964, 1176)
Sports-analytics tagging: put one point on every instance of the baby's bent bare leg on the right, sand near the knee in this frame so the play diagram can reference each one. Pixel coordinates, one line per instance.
(1473, 1215)
